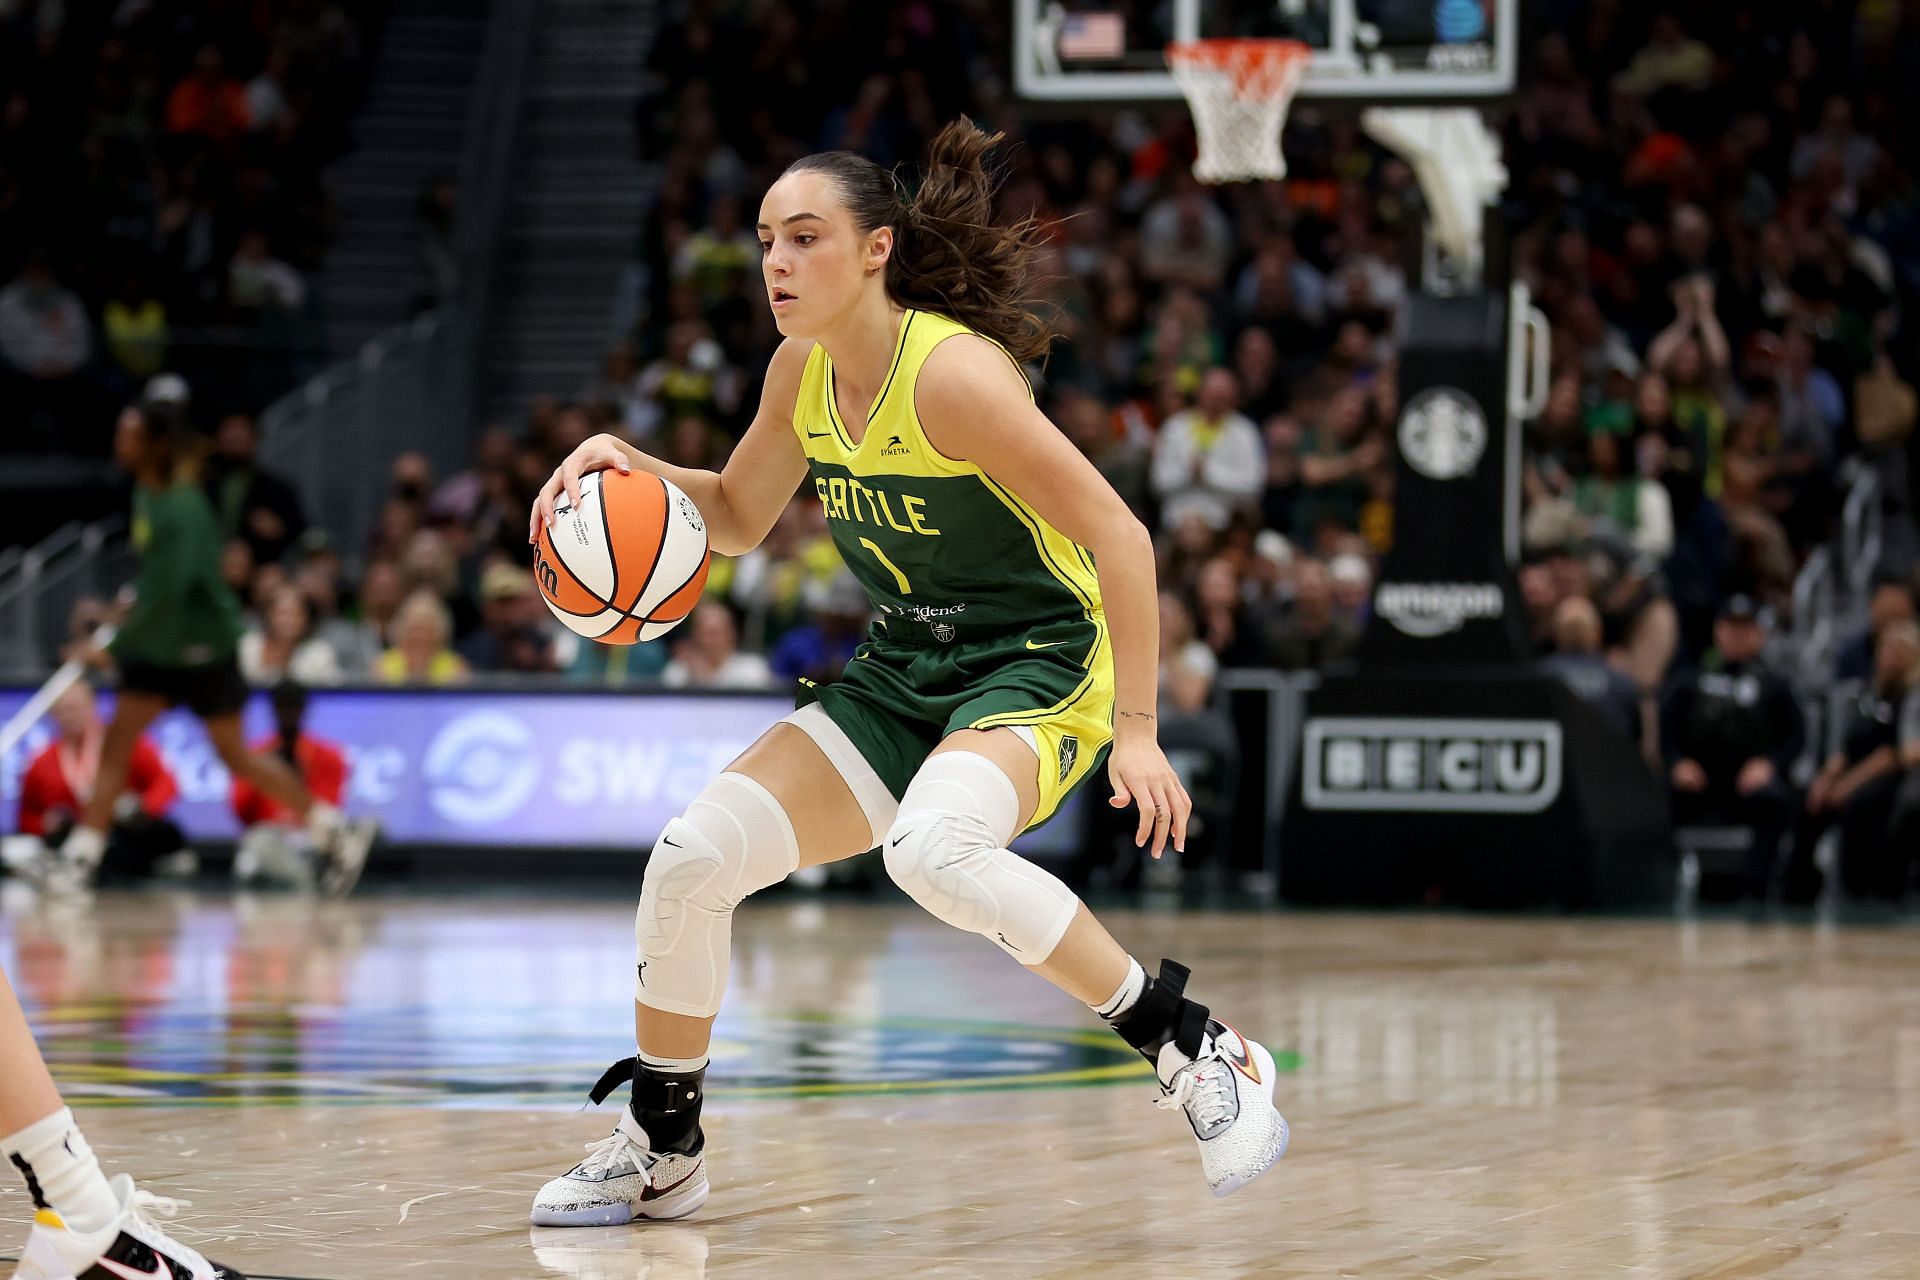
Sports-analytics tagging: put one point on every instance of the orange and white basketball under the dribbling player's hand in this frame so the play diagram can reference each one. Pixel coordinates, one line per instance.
(625, 565)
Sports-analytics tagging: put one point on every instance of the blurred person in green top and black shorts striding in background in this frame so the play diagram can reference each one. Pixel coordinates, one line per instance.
(180, 646)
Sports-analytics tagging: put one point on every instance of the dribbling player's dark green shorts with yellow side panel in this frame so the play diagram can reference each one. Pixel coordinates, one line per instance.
(905, 692)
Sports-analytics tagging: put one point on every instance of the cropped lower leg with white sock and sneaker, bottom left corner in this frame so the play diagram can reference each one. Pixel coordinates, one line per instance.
(84, 1225)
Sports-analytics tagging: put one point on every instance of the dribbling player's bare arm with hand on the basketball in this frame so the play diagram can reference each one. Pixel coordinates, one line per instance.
(744, 500)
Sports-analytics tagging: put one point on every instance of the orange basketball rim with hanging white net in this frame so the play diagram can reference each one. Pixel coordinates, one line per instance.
(1239, 93)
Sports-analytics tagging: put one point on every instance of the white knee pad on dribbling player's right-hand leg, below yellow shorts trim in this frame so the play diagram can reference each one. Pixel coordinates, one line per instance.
(948, 851)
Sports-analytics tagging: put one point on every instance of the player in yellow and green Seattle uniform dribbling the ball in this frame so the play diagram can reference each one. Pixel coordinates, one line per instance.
(1015, 648)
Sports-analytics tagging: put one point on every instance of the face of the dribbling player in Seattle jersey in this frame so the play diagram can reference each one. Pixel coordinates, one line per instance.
(813, 258)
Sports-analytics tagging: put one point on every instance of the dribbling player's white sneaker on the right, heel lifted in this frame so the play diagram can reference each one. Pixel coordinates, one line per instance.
(1228, 1095)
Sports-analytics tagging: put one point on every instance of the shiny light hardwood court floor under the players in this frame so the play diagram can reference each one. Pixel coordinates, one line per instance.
(377, 1089)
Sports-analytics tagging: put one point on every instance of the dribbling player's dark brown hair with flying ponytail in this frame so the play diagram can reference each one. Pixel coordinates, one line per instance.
(949, 254)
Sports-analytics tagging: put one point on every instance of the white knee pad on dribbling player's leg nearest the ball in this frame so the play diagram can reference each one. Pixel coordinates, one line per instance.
(732, 841)
